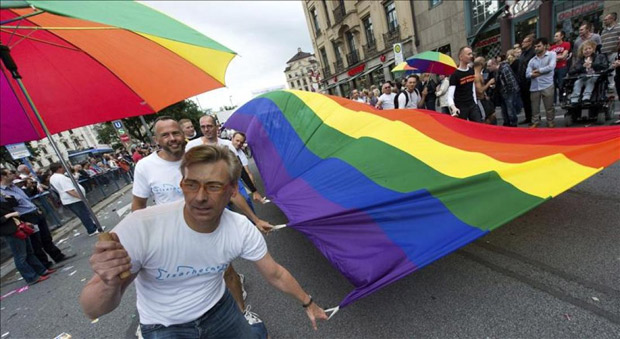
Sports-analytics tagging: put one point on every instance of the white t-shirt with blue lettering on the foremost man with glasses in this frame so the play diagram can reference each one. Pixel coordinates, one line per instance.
(180, 272)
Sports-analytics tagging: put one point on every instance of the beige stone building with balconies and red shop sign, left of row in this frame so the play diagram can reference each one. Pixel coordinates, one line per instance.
(354, 40)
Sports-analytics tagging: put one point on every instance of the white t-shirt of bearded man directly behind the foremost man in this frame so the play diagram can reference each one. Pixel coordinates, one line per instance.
(159, 178)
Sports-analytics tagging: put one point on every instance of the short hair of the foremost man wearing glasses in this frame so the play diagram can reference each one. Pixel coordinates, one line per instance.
(207, 154)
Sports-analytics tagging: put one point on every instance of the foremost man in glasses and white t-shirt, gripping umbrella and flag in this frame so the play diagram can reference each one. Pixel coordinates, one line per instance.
(177, 254)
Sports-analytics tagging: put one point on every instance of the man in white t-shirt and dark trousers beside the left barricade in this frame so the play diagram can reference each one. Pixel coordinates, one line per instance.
(70, 198)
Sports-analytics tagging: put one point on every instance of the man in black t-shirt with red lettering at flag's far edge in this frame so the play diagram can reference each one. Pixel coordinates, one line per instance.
(462, 93)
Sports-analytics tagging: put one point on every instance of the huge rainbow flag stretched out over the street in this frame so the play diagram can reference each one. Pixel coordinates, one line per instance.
(384, 193)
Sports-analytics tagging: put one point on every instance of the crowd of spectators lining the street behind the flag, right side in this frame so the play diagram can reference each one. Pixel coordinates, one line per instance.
(530, 73)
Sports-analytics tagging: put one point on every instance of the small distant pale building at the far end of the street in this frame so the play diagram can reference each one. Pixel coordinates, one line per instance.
(302, 72)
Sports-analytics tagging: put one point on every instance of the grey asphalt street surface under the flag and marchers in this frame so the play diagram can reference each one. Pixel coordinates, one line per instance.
(551, 273)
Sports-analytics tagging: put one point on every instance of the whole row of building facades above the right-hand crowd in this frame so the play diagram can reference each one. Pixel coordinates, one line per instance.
(354, 39)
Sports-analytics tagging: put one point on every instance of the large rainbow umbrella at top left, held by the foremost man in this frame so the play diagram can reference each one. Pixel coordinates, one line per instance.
(67, 64)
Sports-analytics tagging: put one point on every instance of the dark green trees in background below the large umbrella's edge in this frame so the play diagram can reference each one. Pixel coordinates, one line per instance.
(183, 109)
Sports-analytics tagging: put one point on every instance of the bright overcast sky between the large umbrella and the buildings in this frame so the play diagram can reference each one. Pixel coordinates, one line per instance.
(265, 34)
